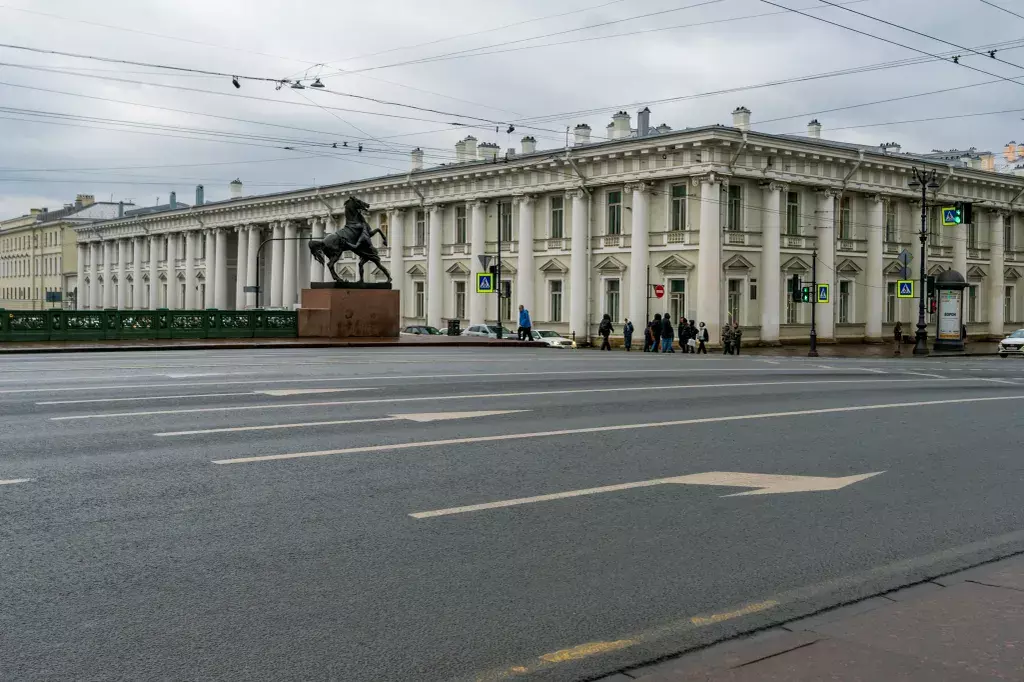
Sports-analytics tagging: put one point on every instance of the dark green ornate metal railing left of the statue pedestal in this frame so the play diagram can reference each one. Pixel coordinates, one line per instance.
(99, 325)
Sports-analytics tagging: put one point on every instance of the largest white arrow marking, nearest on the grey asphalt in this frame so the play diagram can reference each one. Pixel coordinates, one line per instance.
(766, 485)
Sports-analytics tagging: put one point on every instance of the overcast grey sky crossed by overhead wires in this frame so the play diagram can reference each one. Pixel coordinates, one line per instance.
(46, 164)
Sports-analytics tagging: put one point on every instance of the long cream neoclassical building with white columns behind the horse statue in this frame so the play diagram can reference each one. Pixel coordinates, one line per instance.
(722, 217)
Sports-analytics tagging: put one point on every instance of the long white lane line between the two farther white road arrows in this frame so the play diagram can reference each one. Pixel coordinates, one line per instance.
(475, 397)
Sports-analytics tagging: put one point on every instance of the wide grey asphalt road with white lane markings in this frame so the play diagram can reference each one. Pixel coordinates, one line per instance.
(164, 533)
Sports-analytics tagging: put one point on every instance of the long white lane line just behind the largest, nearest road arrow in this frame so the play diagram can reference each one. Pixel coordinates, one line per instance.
(603, 430)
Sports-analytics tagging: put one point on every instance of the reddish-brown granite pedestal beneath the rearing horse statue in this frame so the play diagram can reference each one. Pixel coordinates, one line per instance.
(350, 313)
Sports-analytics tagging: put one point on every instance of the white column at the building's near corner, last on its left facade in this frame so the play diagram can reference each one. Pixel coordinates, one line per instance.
(710, 259)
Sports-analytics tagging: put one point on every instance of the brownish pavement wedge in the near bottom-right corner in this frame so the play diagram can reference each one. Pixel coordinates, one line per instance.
(966, 627)
